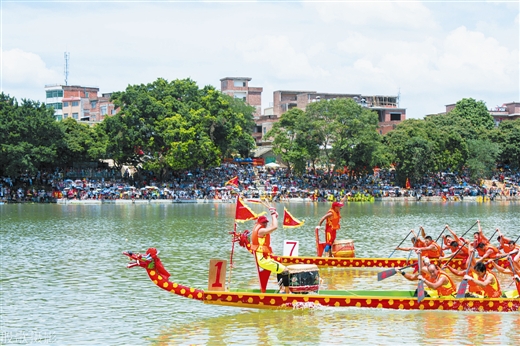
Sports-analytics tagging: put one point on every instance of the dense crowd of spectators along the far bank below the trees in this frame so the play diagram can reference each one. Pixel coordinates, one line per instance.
(254, 182)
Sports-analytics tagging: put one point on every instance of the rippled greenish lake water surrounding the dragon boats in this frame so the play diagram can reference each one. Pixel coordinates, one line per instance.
(64, 280)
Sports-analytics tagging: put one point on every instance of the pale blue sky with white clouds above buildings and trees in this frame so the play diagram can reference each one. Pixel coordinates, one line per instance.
(430, 53)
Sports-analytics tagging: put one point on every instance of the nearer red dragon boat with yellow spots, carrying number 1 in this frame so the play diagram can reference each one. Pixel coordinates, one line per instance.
(272, 299)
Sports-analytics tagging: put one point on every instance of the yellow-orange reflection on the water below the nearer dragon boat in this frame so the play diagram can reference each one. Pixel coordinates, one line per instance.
(330, 326)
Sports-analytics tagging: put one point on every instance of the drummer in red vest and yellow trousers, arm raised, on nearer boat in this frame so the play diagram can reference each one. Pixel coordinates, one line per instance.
(261, 245)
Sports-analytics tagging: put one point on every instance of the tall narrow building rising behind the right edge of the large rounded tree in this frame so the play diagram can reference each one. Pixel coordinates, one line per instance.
(238, 87)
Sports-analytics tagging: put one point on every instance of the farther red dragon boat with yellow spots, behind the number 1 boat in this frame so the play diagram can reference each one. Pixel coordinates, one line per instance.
(347, 262)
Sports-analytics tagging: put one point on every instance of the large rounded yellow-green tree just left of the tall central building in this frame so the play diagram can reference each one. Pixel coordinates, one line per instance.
(177, 126)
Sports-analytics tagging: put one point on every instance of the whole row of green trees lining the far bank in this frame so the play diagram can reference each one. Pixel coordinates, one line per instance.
(172, 127)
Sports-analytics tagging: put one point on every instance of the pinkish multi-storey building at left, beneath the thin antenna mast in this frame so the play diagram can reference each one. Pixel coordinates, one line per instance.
(78, 102)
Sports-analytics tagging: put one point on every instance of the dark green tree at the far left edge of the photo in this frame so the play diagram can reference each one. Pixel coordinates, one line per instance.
(29, 136)
